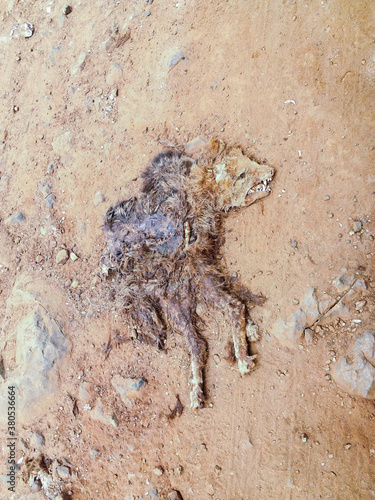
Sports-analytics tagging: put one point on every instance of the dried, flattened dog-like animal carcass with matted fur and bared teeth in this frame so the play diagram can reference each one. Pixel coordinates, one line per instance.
(164, 244)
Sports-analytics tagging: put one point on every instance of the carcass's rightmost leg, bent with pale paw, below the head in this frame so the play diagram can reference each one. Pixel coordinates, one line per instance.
(243, 326)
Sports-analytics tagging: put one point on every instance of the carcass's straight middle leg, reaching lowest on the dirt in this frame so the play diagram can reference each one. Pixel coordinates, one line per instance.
(181, 315)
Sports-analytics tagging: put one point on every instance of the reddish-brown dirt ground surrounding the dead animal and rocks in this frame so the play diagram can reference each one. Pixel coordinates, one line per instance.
(86, 101)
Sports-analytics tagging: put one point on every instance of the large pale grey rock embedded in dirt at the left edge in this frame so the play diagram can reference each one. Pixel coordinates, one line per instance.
(39, 346)
